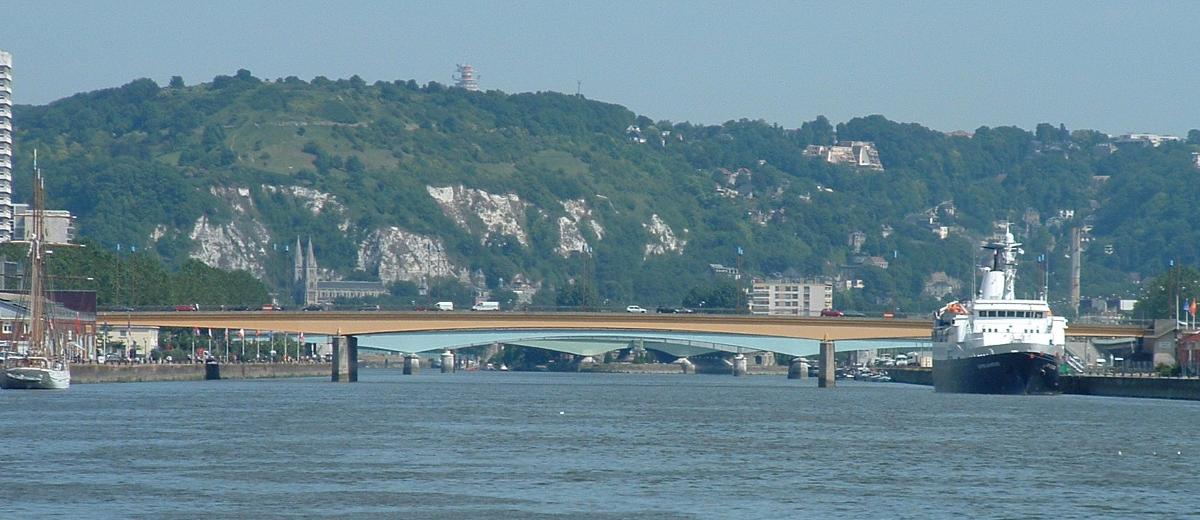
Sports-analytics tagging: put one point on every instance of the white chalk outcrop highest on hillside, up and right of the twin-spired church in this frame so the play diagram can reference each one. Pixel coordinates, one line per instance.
(501, 214)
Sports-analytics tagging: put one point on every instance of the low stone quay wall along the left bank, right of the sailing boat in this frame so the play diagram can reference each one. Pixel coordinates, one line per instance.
(149, 373)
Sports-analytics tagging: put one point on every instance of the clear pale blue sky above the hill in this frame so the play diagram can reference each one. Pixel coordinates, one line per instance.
(1112, 67)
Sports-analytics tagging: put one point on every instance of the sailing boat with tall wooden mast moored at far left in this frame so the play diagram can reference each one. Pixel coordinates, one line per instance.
(46, 364)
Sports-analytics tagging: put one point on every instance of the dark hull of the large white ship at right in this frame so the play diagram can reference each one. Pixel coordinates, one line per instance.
(1010, 373)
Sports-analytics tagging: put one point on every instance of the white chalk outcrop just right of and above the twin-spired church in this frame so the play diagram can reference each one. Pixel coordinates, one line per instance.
(404, 256)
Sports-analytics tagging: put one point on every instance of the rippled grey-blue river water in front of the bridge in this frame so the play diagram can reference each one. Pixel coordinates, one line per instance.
(544, 446)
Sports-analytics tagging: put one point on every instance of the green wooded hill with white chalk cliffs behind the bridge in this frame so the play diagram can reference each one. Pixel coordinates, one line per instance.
(581, 201)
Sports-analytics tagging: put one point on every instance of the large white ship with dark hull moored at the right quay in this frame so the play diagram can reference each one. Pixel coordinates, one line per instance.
(999, 344)
